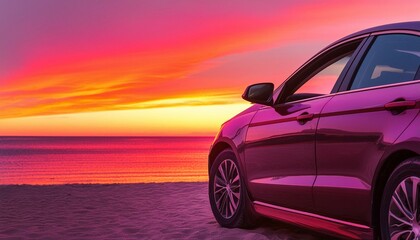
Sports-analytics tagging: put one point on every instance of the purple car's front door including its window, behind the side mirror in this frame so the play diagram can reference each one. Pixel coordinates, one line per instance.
(280, 142)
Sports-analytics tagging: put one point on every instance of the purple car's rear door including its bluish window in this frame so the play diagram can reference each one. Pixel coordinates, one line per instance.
(375, 104)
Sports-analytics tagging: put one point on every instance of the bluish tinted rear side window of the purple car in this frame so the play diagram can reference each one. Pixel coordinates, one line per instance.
(392, 58)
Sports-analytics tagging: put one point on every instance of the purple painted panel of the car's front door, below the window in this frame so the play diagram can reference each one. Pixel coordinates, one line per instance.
(273, 167)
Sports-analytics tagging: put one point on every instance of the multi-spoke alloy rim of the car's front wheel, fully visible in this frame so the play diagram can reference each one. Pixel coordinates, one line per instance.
(227, 188)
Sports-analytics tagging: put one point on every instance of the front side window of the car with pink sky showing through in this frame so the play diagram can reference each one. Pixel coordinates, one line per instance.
(323, 82)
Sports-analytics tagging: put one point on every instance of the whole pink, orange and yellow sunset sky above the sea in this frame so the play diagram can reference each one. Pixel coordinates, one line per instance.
(155, 67)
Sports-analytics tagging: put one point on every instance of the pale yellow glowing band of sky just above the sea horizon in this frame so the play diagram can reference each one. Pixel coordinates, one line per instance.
(169, 121)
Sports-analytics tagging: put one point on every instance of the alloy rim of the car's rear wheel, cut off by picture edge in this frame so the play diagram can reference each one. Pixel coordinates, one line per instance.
(404, 214)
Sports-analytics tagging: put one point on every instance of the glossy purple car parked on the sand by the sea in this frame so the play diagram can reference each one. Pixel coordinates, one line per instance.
(335, 148)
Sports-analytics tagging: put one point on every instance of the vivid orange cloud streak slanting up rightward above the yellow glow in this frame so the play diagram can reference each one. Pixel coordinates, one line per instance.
(117, 80)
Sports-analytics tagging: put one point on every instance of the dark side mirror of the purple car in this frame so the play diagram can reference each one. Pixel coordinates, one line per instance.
(261, 93)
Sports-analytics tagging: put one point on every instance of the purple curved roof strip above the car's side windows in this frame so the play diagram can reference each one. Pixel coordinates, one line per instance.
(408, 26)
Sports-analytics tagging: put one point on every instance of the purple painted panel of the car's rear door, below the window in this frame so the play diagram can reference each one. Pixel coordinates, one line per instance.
(359, 129)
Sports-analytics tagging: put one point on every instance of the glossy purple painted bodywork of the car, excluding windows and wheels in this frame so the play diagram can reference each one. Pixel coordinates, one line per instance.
(345, 124)
